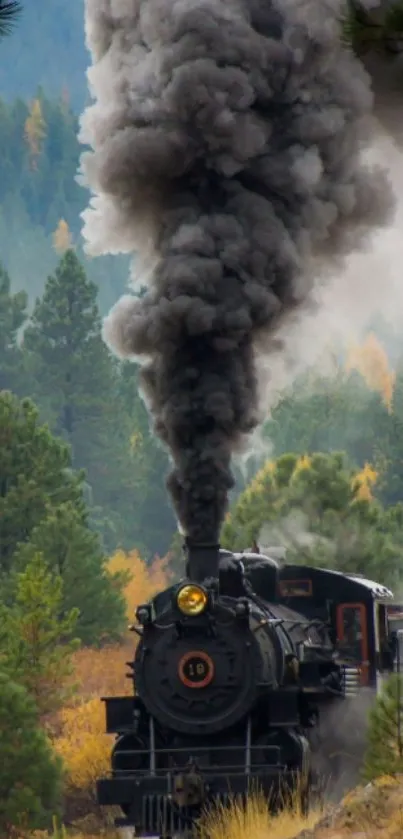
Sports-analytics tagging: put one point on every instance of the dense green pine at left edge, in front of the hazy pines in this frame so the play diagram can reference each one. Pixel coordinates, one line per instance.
(42, 510)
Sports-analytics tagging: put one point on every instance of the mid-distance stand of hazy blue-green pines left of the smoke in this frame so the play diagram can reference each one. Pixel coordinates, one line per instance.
(90, 401)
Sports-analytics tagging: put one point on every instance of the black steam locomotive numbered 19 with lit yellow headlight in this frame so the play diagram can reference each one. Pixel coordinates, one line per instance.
(236, 671)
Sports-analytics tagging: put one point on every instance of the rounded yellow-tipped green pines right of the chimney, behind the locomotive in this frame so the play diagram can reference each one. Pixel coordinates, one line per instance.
(314, 507)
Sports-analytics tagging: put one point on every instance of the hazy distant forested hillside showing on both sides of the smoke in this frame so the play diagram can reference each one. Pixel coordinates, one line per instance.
(53, 298)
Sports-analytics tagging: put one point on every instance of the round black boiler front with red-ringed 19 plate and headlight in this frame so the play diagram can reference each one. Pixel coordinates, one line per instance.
(205, 657)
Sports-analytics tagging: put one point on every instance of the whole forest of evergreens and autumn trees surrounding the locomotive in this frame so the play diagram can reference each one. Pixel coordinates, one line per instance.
(87, 531)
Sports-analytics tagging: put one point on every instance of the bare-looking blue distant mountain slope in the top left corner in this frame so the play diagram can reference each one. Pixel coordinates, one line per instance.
(46, 49)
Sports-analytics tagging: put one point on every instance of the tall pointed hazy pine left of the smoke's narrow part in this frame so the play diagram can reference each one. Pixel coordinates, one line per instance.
(75, 387)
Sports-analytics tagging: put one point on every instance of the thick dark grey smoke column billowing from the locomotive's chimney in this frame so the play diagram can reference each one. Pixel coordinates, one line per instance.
(226, 140)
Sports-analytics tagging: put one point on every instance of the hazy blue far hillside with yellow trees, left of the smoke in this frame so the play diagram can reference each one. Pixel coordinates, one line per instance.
(40, 200)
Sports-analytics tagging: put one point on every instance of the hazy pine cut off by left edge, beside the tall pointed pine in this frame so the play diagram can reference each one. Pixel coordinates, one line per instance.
(13, 313)
